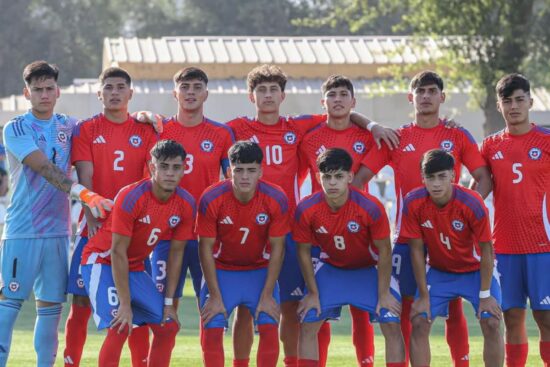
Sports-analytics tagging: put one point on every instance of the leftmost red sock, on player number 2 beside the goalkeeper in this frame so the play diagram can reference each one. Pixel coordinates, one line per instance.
(76, 329)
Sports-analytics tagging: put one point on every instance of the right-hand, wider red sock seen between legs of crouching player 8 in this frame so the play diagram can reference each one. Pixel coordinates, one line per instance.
(363, 336)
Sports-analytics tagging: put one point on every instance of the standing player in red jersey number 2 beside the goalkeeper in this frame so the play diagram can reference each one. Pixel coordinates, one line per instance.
(110, 151)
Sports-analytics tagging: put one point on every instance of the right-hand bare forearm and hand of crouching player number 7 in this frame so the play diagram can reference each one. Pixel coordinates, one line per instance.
(267, 303)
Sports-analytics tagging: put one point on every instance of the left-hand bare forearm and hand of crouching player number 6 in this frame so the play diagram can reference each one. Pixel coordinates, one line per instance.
(120, 268)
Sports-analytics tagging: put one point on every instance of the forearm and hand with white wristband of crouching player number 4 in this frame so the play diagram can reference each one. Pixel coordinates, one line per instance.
(487, 303)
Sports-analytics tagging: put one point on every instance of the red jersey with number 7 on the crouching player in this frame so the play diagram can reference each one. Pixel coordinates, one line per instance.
(242, 230)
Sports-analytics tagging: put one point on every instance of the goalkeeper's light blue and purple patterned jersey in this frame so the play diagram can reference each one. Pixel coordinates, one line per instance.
(37, 209)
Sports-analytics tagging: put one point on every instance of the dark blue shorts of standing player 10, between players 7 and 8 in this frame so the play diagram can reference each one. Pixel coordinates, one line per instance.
(291, 281)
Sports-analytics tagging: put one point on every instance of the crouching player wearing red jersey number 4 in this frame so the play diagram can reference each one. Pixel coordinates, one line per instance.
(453, 223)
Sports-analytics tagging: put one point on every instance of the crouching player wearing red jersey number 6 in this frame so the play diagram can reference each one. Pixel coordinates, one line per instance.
(121, 293)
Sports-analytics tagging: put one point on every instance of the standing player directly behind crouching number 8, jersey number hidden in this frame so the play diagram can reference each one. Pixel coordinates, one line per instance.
(338, 101)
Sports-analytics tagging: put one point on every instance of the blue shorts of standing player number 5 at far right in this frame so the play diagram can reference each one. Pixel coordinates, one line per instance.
(524, 276)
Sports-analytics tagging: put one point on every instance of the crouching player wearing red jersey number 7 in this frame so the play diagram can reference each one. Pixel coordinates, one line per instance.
(238, 219)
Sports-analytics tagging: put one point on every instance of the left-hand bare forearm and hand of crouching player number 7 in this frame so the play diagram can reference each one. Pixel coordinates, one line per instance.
(214, 304)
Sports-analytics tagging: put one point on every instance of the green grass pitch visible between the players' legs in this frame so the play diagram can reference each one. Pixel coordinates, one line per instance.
(187, 351)
